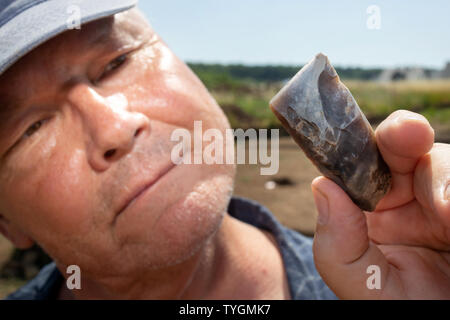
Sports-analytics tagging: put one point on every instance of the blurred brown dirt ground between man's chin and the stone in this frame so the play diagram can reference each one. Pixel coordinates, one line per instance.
(288, 193)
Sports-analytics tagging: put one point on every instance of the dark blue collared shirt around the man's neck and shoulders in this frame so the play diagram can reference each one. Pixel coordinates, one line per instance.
(296, 250)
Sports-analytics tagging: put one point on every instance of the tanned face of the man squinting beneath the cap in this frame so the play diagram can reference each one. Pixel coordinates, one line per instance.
(88, 125)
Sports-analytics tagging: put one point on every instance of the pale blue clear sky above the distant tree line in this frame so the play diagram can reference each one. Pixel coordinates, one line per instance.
(291, 32)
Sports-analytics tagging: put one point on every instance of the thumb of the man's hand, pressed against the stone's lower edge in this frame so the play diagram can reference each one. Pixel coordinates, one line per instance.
(351, 265)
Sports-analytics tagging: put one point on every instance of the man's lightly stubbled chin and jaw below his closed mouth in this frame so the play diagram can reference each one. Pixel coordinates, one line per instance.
(172, 226)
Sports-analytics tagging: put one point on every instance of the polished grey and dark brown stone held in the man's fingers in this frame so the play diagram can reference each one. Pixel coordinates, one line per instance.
(322, 116)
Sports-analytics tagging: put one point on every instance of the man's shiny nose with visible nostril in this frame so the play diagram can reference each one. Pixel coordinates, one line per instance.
(110, 126)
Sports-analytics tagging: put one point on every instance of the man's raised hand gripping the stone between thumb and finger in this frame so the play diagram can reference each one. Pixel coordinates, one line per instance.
(407, 236)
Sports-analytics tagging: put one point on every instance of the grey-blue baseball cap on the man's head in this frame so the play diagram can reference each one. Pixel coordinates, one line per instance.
(25, 24)
